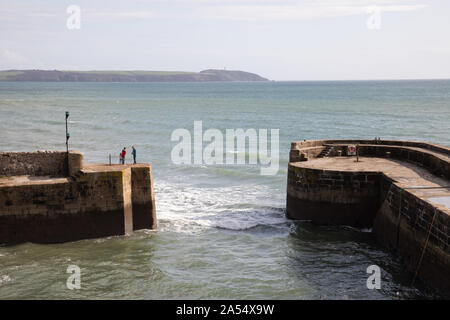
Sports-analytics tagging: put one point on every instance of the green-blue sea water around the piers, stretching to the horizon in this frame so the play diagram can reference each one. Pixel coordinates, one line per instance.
(222, 230)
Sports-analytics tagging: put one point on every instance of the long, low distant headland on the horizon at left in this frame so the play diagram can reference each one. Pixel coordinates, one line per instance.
(128, 76)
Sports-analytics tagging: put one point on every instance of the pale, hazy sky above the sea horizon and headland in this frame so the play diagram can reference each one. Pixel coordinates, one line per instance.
(277, 39)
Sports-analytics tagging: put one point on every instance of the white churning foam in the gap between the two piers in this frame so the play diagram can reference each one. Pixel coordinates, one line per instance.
(187, 208)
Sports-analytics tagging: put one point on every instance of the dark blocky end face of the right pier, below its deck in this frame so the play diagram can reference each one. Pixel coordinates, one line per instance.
(332, 197)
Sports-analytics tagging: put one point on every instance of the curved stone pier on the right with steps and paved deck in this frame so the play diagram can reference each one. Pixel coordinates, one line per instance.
(401, 189)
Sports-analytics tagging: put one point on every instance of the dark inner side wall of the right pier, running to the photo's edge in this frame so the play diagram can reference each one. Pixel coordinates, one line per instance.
(406, 224)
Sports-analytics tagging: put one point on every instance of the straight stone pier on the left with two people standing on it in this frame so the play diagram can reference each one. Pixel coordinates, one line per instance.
(46, 199)
